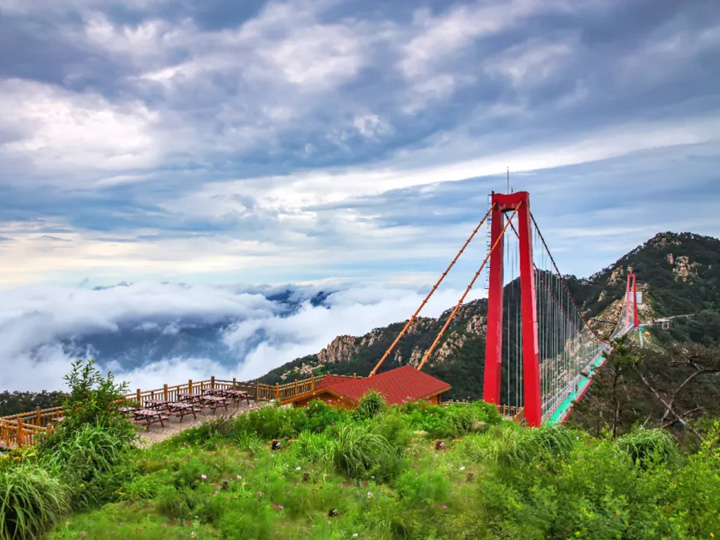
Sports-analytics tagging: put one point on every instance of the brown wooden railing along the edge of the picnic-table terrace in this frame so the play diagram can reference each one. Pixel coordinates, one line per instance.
(24, 429)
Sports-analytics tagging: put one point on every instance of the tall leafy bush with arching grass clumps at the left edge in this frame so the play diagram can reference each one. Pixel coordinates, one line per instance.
(78, 466)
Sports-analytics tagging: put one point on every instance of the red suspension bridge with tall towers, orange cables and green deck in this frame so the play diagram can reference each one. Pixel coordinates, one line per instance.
(541, 353)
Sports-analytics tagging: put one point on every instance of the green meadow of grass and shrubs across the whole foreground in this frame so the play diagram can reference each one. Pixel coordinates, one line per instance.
(375, 472)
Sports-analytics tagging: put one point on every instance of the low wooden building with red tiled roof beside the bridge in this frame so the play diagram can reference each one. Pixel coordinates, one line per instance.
(398, 385)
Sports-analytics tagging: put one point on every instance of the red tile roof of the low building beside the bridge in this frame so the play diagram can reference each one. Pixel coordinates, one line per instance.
(397, 385)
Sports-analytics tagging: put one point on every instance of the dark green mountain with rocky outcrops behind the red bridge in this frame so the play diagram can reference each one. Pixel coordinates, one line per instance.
(678, 274)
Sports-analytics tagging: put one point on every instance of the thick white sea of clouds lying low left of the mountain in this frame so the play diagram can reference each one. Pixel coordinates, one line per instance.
(154, 333)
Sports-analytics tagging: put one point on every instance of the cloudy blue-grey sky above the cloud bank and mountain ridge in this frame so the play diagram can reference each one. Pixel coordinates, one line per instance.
(346, 144)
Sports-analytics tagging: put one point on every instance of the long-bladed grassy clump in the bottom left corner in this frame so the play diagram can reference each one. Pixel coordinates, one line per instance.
(31, 499)
